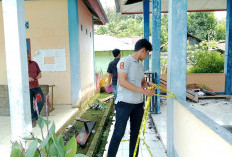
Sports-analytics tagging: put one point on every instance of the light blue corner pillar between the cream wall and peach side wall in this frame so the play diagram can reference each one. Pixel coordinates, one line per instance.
(74, 46)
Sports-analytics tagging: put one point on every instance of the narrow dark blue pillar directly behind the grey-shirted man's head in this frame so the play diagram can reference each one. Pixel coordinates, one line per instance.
(146, 14)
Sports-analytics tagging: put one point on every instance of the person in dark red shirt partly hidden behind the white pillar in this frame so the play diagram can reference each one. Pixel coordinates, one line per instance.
(35, 90)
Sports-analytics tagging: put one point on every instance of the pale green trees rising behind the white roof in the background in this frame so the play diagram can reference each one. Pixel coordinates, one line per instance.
(129, 25)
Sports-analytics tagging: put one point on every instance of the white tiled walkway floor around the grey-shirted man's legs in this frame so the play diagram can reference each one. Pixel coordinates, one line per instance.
(156, 147)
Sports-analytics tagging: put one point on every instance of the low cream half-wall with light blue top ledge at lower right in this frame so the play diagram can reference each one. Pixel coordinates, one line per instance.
(195, 135)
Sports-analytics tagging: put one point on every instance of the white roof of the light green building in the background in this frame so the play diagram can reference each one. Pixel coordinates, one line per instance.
(108, 43)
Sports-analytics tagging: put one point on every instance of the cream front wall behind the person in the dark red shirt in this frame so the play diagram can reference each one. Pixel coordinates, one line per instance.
(48, 22)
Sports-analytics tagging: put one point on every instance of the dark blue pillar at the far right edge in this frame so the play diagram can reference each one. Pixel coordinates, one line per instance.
(228, 53)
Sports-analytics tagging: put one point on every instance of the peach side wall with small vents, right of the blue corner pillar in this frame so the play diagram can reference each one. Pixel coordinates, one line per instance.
(86, 49)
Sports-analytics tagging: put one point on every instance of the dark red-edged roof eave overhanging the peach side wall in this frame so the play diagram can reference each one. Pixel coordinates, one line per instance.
(95, 7)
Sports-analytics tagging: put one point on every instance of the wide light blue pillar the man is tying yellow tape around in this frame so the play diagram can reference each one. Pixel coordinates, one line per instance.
(177, 50)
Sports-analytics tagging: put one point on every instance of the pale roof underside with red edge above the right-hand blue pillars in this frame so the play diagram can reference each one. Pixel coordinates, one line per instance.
(193, 6)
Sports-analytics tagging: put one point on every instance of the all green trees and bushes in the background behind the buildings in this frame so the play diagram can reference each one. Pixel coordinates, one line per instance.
(203, 25)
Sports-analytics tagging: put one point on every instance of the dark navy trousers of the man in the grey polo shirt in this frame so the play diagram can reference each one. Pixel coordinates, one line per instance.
(123, 112)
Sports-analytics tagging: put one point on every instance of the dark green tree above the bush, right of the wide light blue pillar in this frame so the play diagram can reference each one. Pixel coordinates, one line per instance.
(202, 25)
